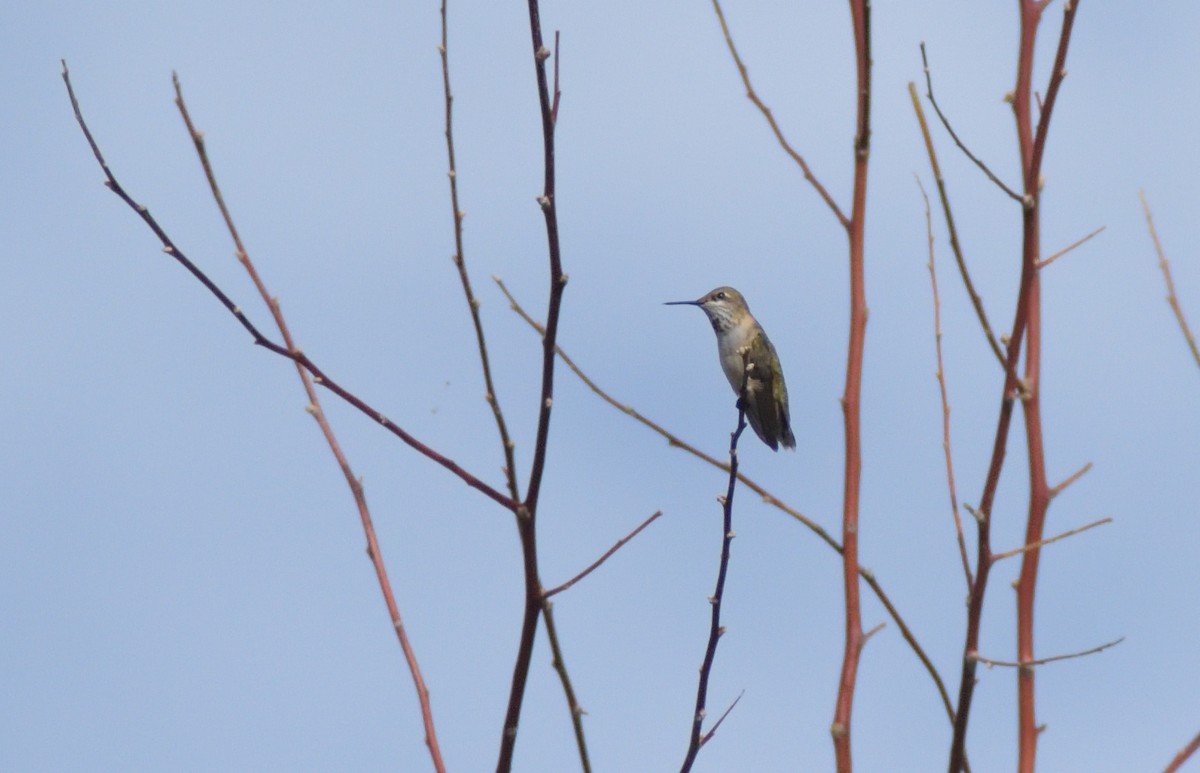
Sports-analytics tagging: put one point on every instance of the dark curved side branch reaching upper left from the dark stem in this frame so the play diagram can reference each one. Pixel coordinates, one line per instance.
(299, 357)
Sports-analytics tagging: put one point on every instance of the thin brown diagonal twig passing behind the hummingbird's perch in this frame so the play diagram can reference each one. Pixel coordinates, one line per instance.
(767, 498)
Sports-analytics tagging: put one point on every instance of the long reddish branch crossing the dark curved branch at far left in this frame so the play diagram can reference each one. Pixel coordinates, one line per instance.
(319, 414)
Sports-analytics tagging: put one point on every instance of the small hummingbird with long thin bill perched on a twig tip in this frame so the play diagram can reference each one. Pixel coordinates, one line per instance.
(740, 335)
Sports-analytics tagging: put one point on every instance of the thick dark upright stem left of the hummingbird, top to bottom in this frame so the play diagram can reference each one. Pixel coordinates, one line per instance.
(527, 514)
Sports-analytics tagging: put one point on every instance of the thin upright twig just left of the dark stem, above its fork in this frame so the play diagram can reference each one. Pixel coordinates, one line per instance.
(511, 471)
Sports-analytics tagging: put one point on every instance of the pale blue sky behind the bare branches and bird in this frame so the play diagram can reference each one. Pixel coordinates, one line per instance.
(183, 580)
